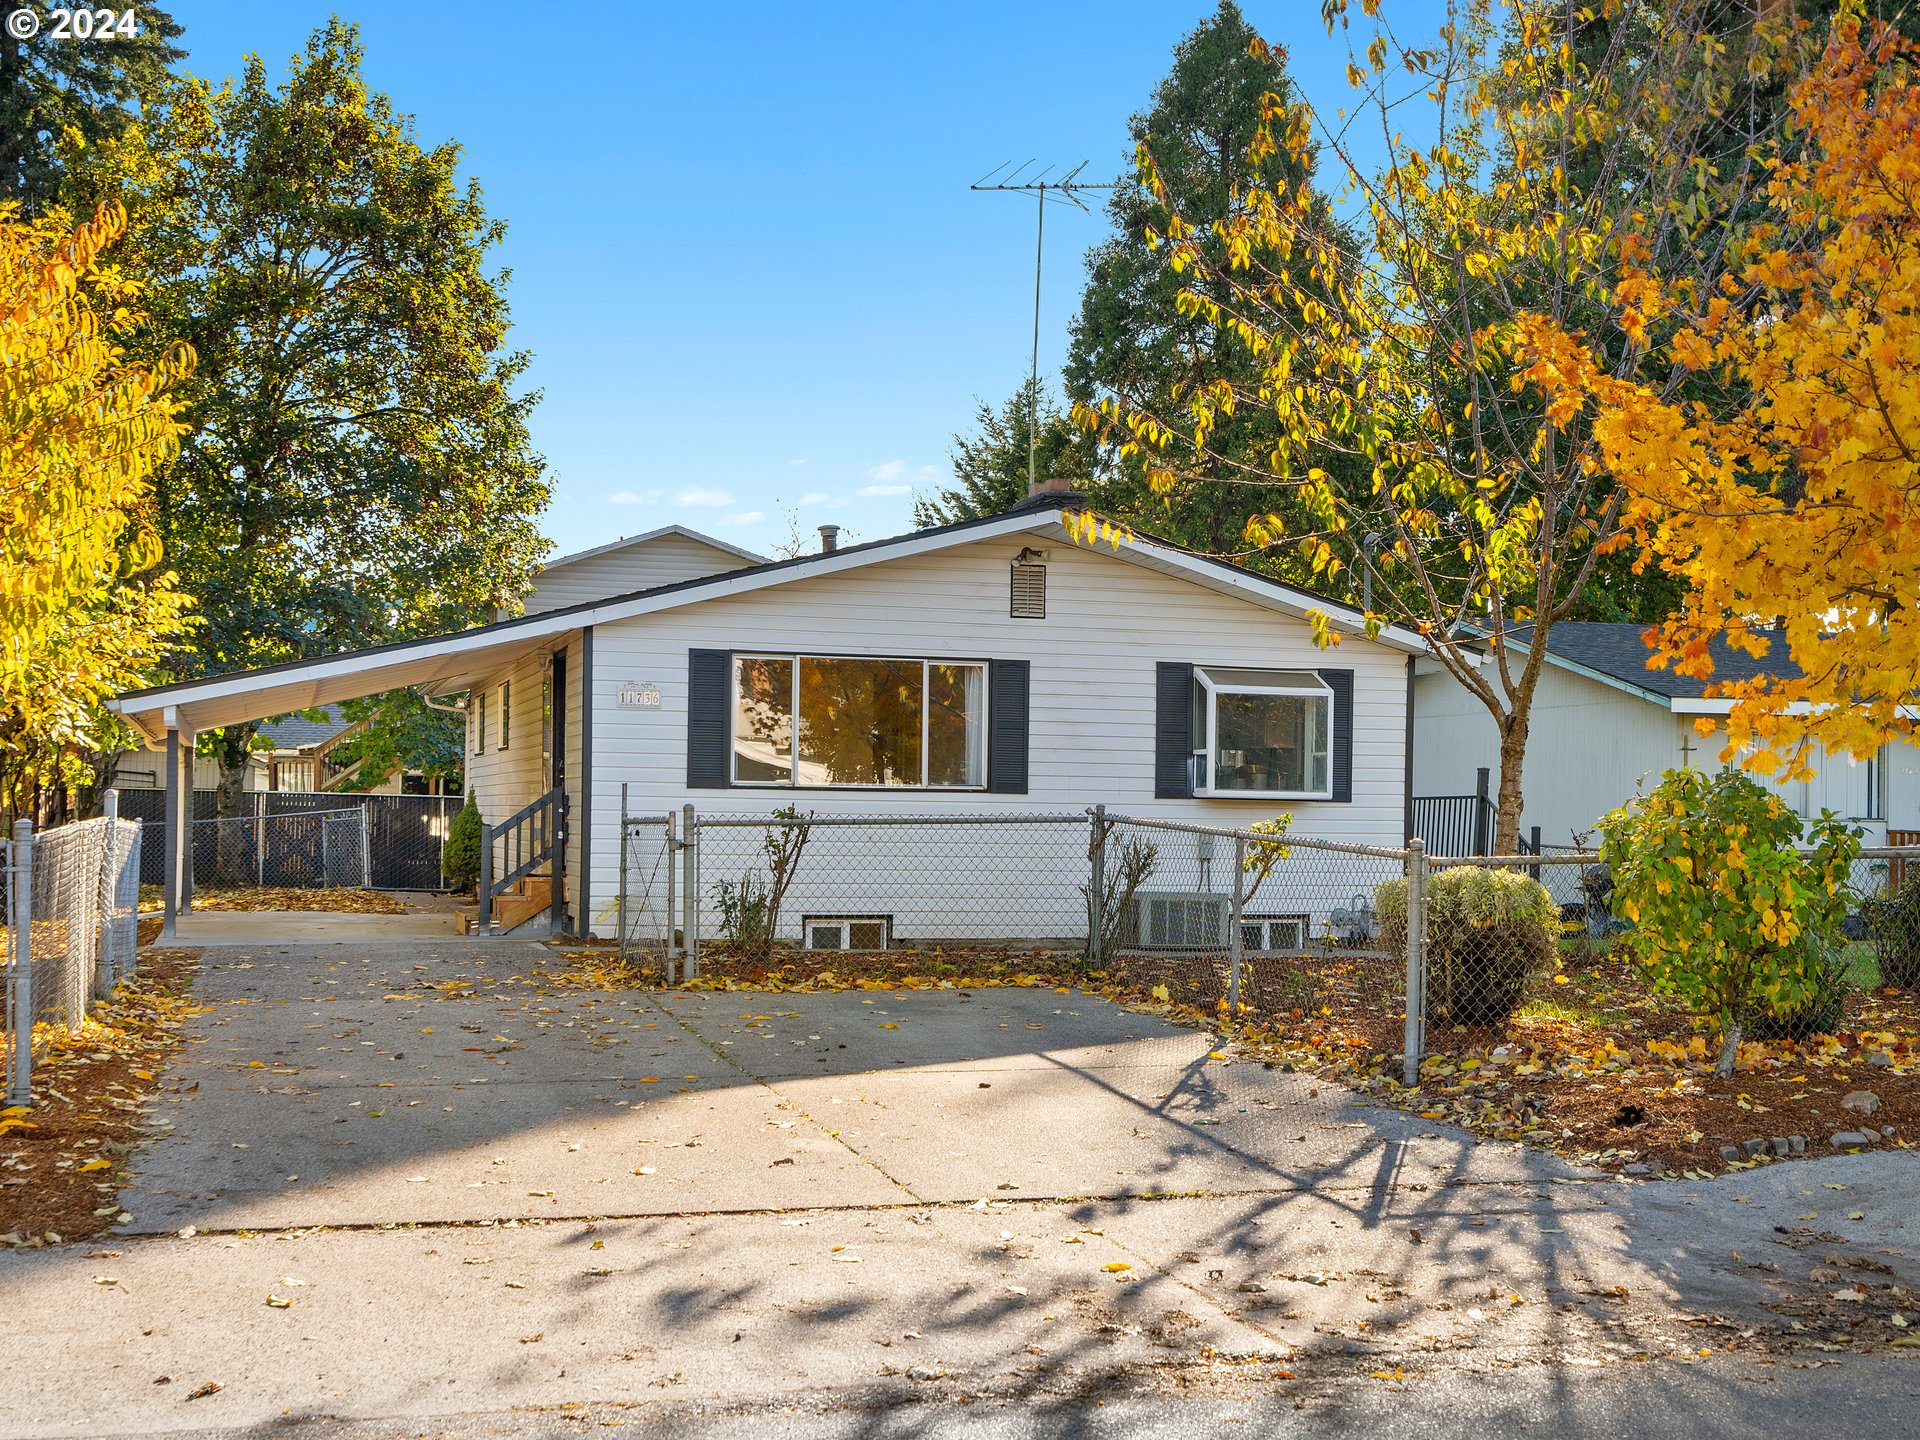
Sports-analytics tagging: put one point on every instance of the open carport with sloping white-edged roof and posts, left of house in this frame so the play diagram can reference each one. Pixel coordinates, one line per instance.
(172, 717)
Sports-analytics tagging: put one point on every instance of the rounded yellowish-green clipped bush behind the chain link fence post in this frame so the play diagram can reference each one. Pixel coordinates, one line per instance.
(1487, 932)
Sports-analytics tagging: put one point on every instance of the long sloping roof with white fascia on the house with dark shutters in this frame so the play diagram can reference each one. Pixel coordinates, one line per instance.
(443, 665)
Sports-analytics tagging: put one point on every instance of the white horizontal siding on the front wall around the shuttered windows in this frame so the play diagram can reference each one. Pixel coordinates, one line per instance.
(1092, 719)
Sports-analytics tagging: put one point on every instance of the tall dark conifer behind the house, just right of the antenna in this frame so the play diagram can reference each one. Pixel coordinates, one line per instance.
(1132, 341)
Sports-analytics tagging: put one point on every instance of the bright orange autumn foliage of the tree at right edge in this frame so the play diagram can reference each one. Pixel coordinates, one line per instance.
(1792, 516)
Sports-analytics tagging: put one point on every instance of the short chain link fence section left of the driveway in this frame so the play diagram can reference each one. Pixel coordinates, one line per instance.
(72, 917)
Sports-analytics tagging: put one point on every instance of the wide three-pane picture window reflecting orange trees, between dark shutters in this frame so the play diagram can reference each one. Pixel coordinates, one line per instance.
(852, 721)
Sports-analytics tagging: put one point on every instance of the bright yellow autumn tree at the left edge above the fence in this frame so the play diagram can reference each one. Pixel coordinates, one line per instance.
(85, 608)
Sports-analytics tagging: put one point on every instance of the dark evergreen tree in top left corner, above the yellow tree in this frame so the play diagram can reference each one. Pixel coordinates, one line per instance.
(91, 87)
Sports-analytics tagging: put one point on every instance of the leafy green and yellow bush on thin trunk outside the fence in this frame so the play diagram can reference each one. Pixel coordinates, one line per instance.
(1727, 911)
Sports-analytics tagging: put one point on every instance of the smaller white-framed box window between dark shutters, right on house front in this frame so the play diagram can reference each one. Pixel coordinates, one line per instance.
(1264, 732)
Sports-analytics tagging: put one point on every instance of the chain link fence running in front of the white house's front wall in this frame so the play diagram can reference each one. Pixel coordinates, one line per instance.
(1395, 951)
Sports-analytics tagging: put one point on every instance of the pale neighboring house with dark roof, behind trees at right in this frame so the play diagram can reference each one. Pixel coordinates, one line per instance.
(1606, 727)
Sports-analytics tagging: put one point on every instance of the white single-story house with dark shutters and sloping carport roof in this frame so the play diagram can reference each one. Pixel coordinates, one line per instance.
(992, 667)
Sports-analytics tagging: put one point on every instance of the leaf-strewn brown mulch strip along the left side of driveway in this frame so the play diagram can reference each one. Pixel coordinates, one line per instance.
(60, 1155)
